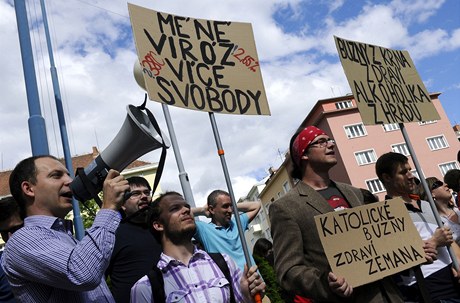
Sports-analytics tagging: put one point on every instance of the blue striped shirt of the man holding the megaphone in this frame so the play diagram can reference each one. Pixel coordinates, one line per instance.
(44, 263)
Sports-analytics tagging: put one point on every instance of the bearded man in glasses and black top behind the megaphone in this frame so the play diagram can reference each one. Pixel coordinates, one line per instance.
(136, 250)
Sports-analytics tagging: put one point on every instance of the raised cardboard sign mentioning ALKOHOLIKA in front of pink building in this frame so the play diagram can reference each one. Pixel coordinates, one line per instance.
(385, 84)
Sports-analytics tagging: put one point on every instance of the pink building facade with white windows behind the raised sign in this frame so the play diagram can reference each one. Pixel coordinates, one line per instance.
(359, 146)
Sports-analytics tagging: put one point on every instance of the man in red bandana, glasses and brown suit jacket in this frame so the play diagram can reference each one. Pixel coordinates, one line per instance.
(300, 262)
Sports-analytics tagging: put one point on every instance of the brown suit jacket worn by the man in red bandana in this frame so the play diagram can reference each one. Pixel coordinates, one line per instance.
(300, 262)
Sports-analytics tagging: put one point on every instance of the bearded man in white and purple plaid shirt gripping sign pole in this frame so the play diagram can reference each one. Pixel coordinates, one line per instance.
(189, 273)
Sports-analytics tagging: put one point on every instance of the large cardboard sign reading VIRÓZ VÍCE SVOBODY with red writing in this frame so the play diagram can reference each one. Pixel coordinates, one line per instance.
(199, 64)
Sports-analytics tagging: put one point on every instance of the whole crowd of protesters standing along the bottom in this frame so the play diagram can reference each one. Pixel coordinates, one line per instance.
(142, 251)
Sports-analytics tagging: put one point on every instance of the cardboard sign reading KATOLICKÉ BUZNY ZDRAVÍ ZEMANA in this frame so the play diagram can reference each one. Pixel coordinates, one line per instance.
(366, 243)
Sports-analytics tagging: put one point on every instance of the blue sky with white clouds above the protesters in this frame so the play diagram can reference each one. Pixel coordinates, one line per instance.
(94, 52)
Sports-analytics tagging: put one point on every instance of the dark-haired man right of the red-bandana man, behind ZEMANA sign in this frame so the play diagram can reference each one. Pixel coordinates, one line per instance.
(440, 285)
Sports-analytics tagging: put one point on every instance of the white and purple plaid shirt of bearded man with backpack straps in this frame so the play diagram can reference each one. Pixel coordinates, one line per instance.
(200, 281)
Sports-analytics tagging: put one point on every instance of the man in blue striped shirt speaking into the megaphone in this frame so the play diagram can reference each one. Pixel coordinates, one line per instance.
(42, 260)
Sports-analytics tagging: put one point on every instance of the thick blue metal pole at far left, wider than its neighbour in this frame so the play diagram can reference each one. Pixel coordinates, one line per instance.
(37, 127)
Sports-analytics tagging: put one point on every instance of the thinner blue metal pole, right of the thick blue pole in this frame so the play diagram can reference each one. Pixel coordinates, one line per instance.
(77, 221)
